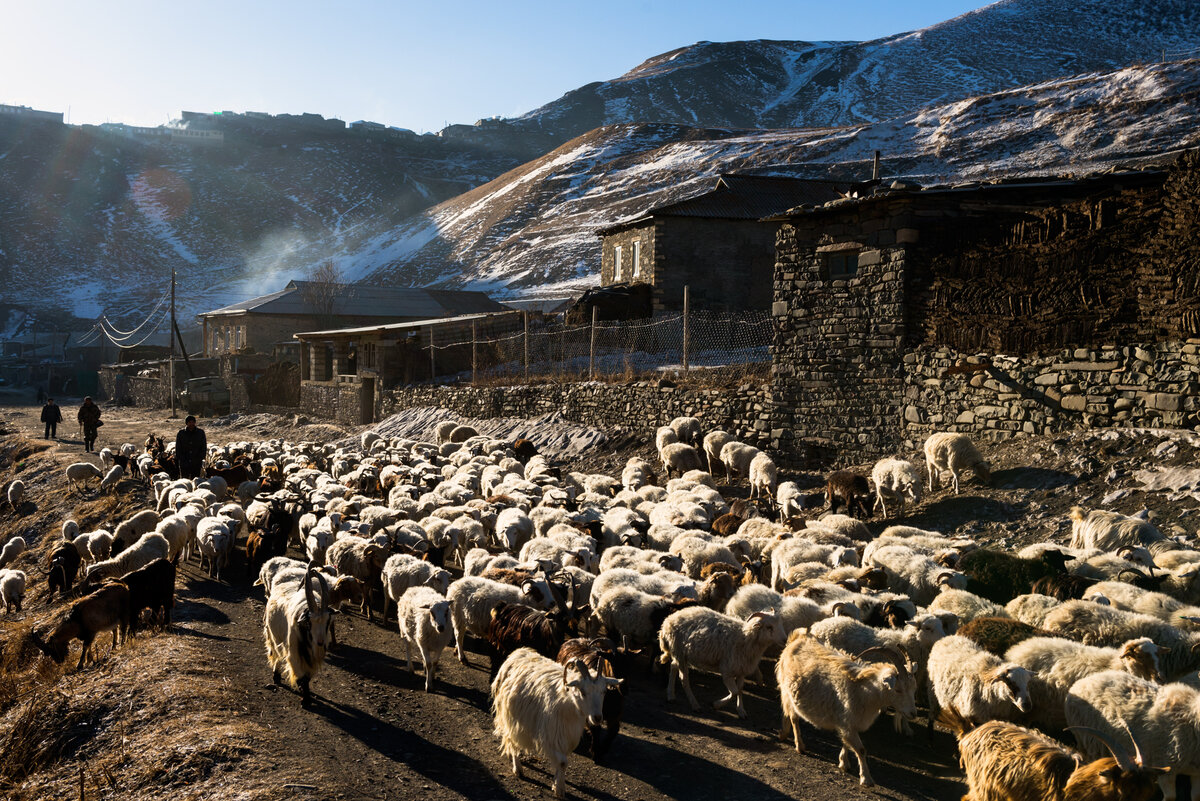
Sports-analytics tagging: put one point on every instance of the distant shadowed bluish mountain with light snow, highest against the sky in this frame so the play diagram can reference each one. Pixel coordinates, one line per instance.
(772, 85)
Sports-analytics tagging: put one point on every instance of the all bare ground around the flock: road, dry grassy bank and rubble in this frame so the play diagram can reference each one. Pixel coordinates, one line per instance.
(193, 714)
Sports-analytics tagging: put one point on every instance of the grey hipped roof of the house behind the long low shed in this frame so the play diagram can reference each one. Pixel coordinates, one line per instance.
(361, 300)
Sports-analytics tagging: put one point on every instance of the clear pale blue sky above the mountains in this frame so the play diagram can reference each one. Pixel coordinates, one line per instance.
(416, 65)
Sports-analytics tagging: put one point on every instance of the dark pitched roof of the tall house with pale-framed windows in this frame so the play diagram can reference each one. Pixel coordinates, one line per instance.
(746, 197)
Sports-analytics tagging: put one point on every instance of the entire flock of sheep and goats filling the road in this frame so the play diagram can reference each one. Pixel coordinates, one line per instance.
(573, 579)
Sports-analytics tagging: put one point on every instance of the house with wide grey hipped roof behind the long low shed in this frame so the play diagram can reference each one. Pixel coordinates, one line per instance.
(260, 324)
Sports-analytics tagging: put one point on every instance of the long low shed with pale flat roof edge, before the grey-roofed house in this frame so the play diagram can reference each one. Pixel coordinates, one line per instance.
(345, 372)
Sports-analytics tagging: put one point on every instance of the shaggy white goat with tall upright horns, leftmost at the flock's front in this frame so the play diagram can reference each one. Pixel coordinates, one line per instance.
(297, 631)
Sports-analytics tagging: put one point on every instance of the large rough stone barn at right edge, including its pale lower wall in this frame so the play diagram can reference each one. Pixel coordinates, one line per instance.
(993, 309)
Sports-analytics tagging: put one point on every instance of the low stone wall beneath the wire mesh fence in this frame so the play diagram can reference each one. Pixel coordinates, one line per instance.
(622, 408)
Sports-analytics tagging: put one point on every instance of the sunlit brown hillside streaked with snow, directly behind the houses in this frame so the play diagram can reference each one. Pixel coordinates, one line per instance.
(533, 230)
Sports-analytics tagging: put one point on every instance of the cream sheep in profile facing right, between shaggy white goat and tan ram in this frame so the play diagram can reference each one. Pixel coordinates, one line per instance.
(701, 639)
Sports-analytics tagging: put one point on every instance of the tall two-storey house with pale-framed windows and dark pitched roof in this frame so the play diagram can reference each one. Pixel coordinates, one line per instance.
(717, 243)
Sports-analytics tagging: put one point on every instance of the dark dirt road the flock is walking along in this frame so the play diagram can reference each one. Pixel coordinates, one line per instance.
(376, 734)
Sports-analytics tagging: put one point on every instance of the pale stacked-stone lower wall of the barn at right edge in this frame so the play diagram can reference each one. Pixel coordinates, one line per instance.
(1000, 396)
